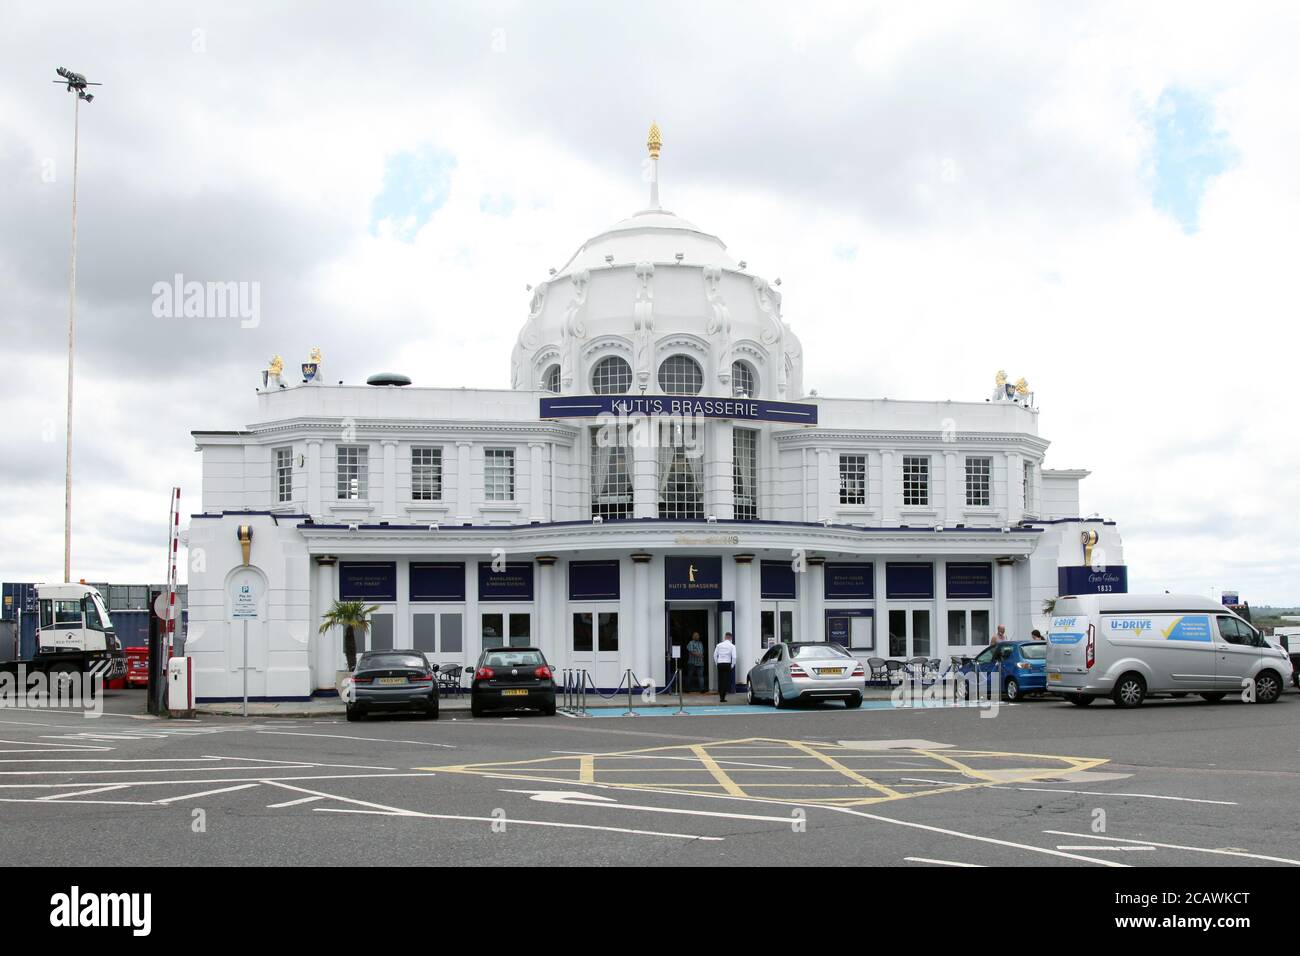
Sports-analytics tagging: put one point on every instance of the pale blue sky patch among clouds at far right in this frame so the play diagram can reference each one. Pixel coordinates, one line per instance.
(1189, 152)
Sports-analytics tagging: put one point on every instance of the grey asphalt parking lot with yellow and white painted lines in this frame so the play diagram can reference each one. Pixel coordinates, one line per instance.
(1177, 782)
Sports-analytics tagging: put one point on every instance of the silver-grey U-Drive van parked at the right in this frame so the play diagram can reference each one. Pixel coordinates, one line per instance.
(1128, 647)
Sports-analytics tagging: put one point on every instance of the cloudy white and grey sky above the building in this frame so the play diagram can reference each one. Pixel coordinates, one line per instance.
(1097, 197)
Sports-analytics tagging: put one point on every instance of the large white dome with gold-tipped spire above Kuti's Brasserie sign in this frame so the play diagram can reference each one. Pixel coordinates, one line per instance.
(644, 291)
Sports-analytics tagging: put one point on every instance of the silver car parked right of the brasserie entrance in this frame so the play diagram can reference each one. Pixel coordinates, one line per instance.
(791, 673)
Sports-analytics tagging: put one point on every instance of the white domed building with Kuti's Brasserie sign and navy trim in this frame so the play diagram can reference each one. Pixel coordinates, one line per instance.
(619, 525)
